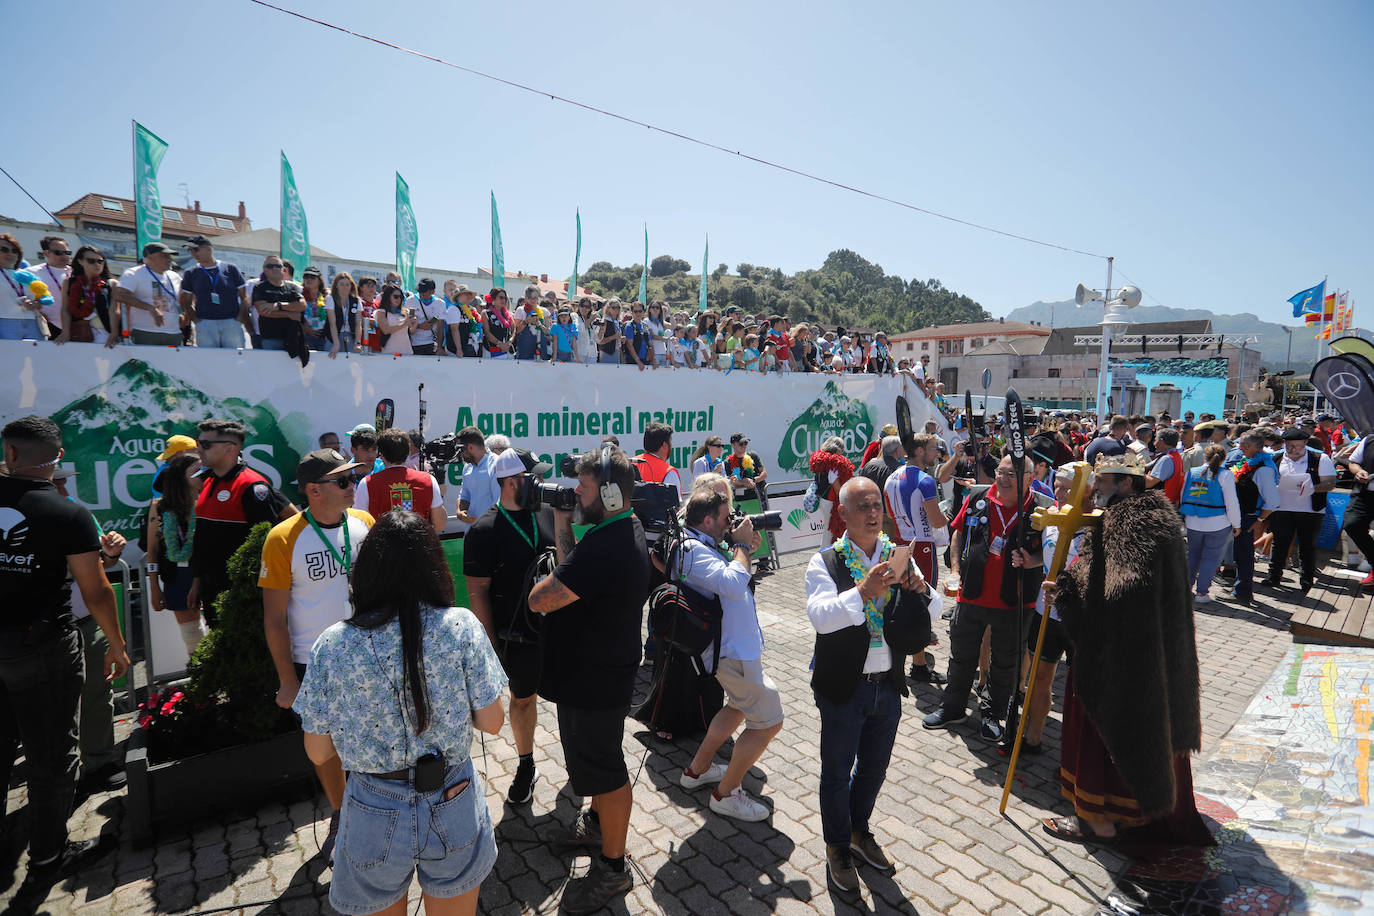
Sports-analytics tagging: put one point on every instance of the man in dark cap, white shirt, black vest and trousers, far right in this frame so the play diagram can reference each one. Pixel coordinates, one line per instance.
(1306, 476)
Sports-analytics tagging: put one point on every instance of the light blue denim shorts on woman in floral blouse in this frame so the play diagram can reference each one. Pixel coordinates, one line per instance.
(388, 832)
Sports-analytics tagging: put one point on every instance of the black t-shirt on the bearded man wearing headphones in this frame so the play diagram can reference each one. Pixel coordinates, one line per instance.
(593, 646)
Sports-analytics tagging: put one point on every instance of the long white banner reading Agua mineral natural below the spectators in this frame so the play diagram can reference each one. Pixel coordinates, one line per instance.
(117, 409)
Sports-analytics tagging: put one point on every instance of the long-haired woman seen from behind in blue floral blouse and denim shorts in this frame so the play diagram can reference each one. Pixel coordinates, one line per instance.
(395, 693)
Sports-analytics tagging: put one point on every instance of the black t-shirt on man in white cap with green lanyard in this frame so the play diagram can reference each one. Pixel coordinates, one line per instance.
(493, 549)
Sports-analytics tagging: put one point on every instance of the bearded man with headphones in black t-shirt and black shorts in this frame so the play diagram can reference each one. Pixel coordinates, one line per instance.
(600, 588)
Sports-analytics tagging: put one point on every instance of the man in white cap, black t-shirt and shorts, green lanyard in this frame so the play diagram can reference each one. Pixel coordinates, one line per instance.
(498, 554)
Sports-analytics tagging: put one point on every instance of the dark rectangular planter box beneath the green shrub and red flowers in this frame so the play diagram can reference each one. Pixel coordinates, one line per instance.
(183, 790)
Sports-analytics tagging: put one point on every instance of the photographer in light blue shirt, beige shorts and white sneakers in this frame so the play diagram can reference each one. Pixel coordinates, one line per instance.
(752, 697)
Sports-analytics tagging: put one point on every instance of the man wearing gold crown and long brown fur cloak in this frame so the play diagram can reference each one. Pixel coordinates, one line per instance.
(1131, 711)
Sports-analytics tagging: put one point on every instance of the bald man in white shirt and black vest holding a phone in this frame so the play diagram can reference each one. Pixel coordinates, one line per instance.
(859, 694)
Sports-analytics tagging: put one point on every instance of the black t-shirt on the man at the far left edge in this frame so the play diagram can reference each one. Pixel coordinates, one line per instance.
(39, 531)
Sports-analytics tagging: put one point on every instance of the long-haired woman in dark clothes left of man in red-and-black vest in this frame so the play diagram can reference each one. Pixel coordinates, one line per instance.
(171, 540)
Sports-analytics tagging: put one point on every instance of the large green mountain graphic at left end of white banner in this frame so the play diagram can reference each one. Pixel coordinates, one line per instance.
(115, 432)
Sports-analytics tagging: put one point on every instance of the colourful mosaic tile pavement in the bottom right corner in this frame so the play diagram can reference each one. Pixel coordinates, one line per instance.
(1288, 793)
